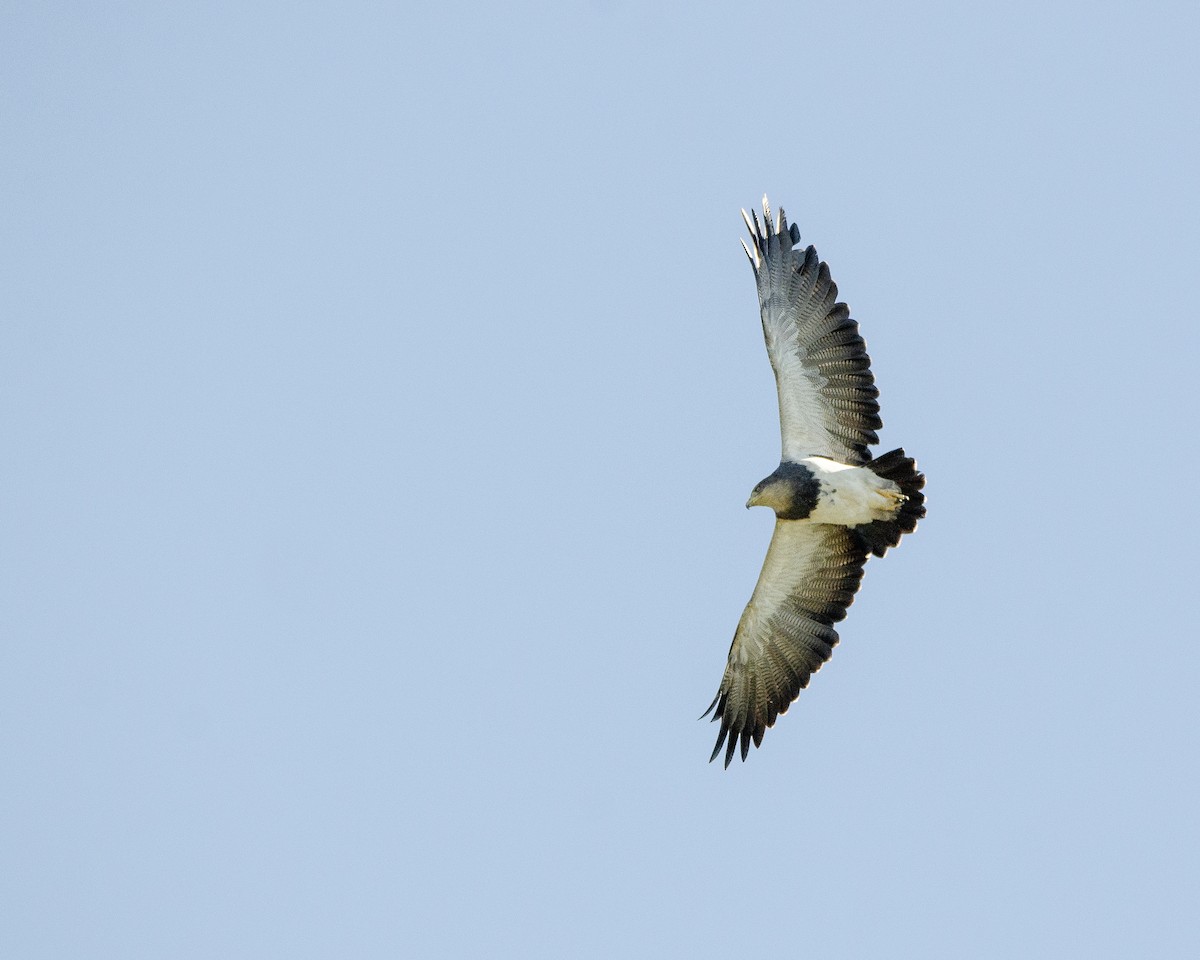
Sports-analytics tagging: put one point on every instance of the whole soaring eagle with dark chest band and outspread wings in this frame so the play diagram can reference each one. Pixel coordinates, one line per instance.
(835, 506)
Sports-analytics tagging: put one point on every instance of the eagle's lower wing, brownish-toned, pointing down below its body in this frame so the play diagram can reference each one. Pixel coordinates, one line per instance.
(808, 580)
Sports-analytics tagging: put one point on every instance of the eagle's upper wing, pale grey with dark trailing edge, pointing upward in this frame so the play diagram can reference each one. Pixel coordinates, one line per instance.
(827, 397)
